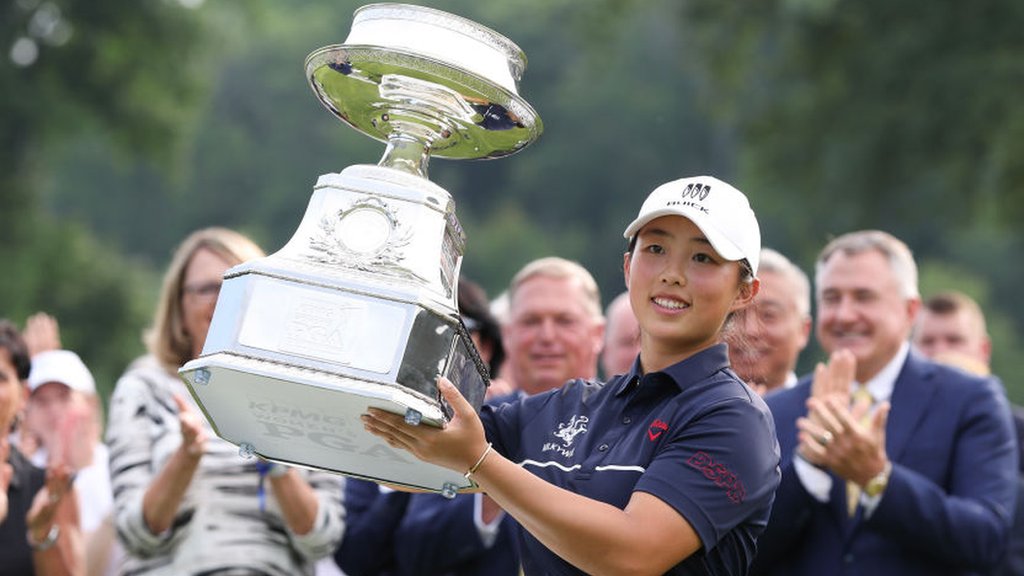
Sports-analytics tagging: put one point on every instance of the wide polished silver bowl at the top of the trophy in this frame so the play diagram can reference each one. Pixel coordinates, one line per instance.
(416, 72)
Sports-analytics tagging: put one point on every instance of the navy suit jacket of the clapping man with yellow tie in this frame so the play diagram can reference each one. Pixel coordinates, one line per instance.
(951, 498)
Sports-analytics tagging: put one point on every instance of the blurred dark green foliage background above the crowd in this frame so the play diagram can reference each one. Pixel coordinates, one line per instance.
(152, 118)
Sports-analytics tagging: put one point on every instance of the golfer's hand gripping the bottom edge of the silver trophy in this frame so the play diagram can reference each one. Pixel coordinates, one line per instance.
(458, 446)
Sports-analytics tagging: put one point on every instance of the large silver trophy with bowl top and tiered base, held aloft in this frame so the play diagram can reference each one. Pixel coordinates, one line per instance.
(359, 310)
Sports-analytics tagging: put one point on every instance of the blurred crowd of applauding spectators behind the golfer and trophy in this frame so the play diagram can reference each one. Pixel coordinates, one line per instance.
(900, 452)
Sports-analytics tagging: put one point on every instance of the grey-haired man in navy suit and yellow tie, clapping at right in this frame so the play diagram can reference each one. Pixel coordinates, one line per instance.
(921, 479)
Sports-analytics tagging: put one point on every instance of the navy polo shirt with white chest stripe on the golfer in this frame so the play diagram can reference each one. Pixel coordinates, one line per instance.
(694, 436)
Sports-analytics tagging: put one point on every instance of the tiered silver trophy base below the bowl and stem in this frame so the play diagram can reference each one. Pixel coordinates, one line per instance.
(357, 312)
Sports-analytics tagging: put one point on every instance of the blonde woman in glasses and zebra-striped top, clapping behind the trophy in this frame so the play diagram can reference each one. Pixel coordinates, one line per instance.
(182, 495)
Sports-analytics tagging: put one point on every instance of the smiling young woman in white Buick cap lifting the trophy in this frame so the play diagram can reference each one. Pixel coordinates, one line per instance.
(670, 469)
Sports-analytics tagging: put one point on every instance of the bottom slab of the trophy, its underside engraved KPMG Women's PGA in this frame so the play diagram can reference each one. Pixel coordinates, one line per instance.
(309, 419)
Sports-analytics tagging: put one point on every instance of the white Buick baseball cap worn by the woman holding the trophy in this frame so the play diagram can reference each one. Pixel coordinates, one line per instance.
(722, 214)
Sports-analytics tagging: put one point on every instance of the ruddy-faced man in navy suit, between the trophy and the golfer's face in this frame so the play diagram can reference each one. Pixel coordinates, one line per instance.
(554, 333)
